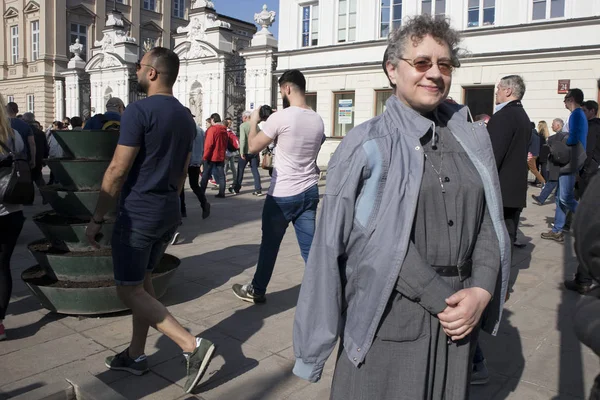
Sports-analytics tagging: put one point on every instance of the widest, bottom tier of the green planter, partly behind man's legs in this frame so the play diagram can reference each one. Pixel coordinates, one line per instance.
(73, 298)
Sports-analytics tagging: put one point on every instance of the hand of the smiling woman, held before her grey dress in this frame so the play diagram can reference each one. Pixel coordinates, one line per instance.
(463, 312)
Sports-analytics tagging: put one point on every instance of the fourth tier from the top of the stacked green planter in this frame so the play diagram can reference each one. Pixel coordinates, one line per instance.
(68, 234)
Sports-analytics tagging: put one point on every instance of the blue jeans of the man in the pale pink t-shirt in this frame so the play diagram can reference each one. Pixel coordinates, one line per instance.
(278, 212)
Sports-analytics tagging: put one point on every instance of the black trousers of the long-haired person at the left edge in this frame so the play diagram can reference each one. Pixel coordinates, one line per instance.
(10, 229)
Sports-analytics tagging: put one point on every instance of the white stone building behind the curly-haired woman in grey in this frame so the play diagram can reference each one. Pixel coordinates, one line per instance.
(339, 45)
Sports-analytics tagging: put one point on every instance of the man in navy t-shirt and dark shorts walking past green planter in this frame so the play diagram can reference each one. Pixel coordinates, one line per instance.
(148, 171)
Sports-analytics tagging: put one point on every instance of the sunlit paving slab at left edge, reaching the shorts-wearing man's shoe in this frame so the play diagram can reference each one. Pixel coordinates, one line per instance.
(45, 356)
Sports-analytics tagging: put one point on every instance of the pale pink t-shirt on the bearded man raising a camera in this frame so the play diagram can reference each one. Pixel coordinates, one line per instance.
(298, 133)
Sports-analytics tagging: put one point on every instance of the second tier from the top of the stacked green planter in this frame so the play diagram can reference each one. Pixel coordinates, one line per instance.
(78, 174)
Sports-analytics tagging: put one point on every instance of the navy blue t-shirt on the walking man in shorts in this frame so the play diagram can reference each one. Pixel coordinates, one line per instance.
(164, 131)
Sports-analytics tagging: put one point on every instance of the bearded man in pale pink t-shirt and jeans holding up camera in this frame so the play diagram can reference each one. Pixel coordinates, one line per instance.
(293, 195)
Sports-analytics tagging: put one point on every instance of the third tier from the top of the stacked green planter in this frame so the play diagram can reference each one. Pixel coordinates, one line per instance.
(79, 204)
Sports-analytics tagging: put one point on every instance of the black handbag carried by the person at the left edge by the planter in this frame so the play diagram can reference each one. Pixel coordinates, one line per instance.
(16, 185)
